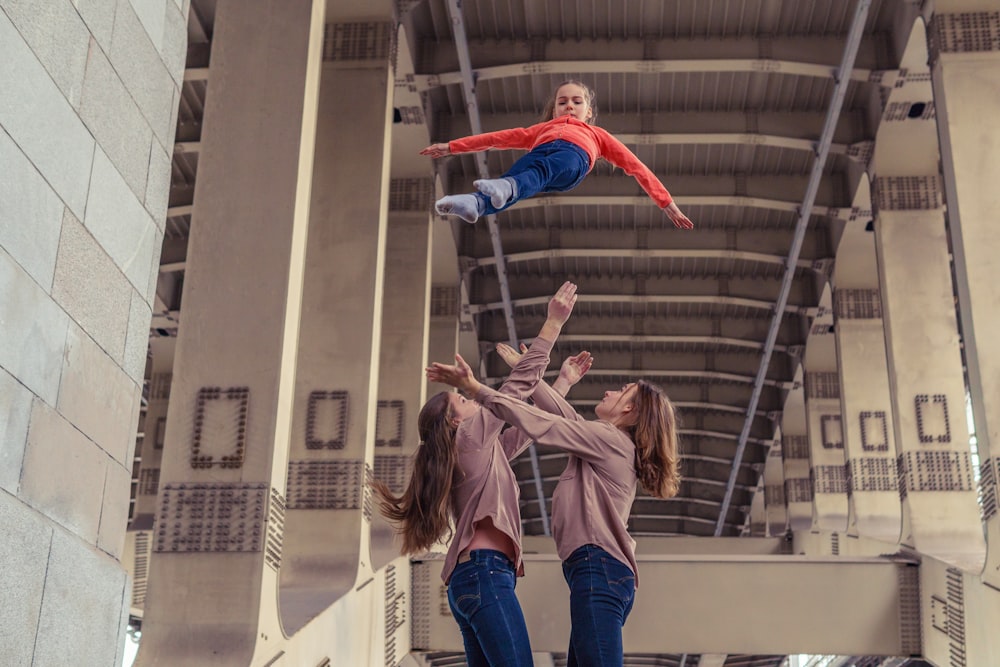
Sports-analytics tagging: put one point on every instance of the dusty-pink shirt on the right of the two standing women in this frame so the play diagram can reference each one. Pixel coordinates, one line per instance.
(594, 496)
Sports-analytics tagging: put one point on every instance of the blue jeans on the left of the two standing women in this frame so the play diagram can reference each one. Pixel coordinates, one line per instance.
(481, 597)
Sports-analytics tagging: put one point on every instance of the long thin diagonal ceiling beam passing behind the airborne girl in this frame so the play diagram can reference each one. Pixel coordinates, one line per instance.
(468, 82)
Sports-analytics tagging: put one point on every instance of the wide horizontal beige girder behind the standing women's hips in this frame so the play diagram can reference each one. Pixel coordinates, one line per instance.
(796, 601)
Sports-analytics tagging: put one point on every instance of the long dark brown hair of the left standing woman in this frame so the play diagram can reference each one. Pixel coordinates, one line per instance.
(422, 514)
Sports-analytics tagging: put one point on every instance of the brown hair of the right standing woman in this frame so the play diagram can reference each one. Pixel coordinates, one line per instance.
(654, 433)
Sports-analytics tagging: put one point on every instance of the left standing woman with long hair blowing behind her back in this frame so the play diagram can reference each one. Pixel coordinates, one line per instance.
(462, 472)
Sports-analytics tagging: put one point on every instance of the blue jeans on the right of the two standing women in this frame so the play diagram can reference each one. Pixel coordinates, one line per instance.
(601, 593)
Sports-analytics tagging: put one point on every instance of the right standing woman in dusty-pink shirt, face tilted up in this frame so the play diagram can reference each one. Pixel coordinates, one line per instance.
(633, 439)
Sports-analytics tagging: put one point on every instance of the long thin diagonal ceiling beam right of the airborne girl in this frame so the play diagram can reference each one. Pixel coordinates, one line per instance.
(822, 150)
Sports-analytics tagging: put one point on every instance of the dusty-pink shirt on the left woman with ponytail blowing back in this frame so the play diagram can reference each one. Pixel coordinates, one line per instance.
(488, 487)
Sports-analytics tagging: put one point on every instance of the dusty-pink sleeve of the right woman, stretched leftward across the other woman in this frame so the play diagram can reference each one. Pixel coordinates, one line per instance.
(591, 441)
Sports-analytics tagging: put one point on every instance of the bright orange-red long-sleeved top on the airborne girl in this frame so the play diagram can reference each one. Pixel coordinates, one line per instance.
(592, 139)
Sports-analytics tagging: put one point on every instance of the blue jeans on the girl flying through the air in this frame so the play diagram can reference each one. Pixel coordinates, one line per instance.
(556, 166)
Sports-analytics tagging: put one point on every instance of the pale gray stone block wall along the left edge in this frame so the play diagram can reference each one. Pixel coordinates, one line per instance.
(89, 91)
